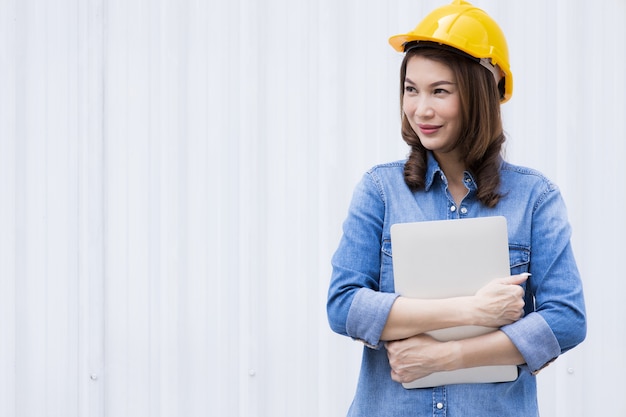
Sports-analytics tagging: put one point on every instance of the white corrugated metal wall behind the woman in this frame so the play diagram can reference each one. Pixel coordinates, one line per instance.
(174, 174)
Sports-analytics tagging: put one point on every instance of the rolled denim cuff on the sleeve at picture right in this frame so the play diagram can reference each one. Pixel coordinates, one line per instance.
(535, 340)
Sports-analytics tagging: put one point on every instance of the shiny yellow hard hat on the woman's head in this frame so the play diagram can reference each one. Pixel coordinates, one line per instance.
(468, 29)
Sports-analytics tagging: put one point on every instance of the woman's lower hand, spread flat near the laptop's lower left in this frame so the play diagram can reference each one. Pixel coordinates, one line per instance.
(417, 357)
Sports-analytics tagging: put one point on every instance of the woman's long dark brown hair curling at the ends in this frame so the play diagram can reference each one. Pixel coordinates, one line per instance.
(481, 137)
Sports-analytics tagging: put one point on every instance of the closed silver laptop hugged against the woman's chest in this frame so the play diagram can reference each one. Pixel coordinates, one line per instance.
(452, 258)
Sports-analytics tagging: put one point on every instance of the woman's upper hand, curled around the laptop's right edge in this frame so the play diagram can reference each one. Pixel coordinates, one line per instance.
(500, 302)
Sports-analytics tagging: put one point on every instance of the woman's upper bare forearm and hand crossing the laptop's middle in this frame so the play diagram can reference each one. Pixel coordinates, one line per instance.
(497, 304)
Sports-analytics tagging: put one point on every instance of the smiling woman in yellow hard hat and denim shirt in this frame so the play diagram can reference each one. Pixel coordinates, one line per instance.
(454, 76)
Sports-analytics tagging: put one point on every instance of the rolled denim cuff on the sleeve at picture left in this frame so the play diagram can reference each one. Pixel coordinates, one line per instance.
(368, 315)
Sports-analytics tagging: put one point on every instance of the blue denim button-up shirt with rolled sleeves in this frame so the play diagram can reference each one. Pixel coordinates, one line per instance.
(362, 291)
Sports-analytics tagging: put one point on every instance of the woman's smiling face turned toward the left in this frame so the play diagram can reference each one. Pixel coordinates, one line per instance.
(432, 104)
